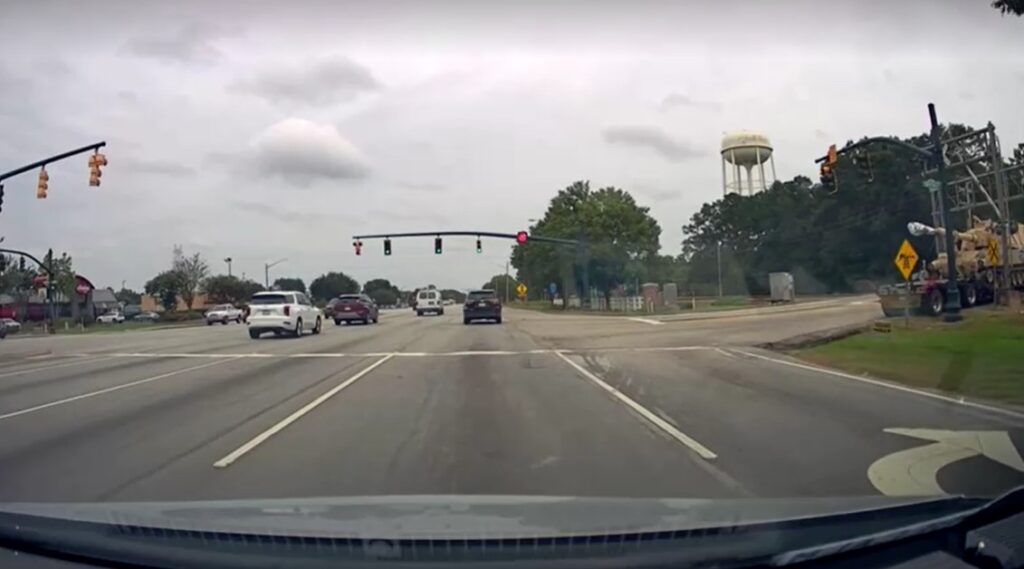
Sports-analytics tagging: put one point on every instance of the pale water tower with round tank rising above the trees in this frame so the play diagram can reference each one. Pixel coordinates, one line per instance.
(746, 150)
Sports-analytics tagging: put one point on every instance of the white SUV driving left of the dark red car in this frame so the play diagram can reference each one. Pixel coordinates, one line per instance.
(283, 313)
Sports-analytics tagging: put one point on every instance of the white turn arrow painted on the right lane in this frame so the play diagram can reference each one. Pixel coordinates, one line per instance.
(915, 471)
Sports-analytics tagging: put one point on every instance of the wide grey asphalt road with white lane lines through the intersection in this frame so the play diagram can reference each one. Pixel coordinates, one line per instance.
(541, 405)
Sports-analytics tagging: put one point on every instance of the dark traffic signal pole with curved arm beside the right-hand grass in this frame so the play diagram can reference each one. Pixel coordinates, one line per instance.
(934, 153)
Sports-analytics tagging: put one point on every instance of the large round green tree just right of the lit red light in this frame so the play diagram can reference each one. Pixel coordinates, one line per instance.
(620, 236)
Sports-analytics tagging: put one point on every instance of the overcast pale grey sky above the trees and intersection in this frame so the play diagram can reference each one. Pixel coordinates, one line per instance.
(264, 132)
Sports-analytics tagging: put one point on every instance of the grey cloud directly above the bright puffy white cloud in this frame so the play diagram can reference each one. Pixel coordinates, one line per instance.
(328, 81)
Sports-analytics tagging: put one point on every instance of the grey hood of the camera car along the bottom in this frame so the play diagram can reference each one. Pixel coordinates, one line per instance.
(445, 517)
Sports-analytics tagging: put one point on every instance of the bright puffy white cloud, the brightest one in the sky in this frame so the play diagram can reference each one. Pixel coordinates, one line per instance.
(303, 152)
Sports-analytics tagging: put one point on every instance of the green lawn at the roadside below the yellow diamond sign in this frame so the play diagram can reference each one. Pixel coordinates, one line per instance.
(984, 357)
